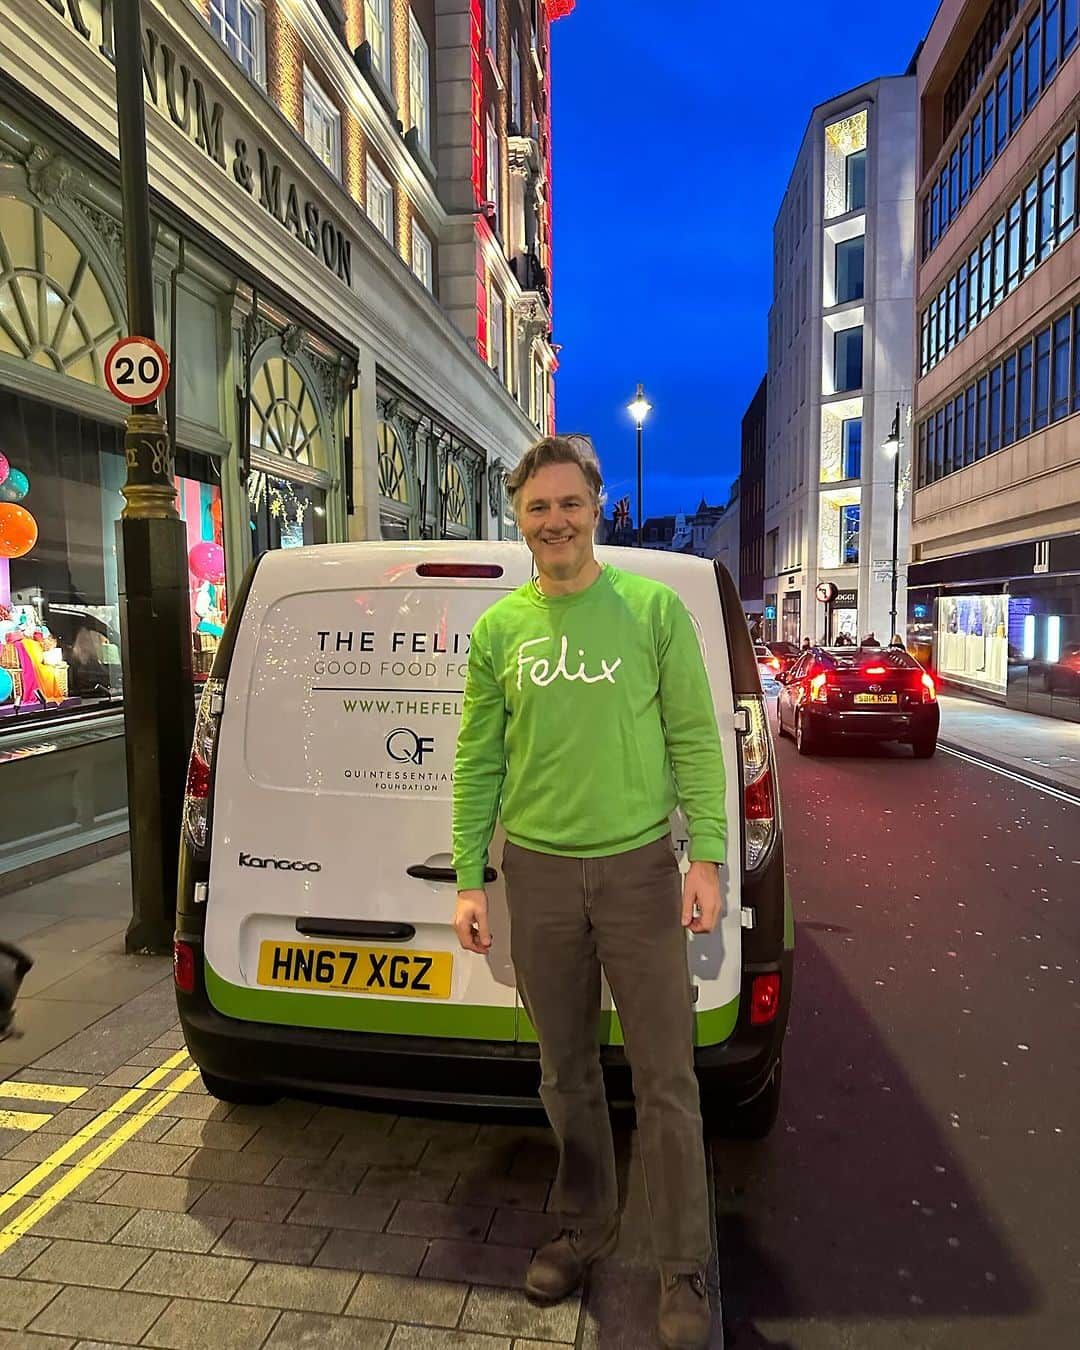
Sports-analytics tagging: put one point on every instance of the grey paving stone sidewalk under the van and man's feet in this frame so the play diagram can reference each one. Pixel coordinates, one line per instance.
(288, 1226)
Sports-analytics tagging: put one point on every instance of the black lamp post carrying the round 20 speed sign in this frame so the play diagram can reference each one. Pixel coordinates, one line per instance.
(155, 603)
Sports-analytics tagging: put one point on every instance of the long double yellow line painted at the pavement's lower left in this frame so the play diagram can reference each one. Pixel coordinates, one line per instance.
(132, 1121)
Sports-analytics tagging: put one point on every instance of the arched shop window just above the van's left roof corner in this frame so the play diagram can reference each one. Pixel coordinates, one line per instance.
(287, 487)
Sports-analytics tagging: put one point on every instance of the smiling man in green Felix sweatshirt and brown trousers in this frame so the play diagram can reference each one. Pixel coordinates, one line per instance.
(588, 718)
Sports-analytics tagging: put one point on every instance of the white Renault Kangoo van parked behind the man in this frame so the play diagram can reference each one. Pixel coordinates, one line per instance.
(315, 951)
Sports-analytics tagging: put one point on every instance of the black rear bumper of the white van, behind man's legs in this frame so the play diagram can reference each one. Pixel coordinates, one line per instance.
(308, 1062)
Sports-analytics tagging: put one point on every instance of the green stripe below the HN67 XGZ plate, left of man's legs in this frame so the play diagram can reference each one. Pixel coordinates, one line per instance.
(349, 1013)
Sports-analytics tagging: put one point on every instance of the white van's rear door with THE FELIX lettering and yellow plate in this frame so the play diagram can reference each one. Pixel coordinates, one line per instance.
(331, 896)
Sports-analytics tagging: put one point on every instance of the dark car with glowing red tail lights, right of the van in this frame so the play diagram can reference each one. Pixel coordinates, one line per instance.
(875, 695)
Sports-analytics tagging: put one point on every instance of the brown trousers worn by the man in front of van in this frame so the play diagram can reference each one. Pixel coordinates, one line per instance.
(569, 920)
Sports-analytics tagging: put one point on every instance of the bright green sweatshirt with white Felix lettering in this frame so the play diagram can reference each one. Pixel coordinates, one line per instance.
(587, 720)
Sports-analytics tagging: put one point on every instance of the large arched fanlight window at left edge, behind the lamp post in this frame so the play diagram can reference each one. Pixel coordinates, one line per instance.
(55, 311)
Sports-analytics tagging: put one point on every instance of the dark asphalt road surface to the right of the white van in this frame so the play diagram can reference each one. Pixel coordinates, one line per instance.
(923, 1186)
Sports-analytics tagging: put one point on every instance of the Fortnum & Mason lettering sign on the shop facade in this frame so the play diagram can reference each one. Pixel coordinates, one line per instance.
(188, 102)
